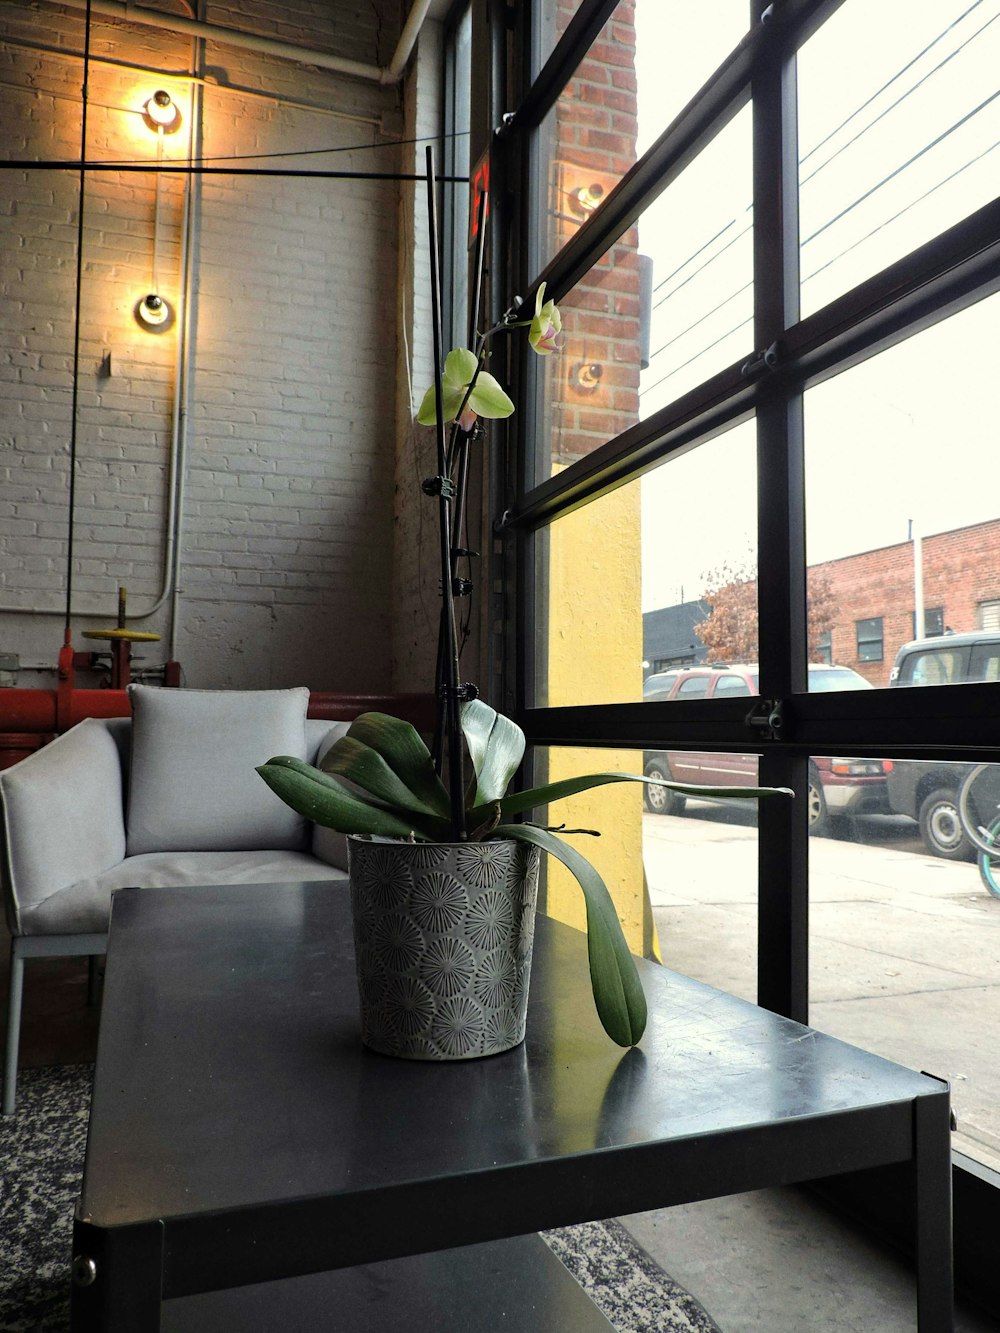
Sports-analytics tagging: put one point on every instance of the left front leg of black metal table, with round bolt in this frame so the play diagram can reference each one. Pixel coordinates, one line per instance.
(117, 1279)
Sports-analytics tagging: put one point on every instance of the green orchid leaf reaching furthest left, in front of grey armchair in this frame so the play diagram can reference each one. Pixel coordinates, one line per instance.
(327, 802)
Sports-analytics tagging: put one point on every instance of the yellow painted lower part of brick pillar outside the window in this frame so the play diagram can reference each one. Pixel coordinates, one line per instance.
(595, 655)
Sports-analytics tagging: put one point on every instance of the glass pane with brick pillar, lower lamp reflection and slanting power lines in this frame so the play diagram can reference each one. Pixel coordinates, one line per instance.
(667, 306)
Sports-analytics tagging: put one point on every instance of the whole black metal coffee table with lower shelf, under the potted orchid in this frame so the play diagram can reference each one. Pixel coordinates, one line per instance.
(251, 1166)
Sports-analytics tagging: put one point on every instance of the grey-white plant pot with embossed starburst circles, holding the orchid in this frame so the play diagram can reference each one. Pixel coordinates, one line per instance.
(443, 938)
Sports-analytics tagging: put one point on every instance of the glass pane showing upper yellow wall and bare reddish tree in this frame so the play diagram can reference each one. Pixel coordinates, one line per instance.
(653, 578)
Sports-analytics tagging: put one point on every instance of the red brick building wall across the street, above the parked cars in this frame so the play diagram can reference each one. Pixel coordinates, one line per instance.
(962, 570)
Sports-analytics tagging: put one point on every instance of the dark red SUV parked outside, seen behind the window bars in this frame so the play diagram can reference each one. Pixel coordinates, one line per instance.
(838, 787)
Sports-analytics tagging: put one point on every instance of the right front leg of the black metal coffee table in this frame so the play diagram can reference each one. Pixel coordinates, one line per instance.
(933, 1172)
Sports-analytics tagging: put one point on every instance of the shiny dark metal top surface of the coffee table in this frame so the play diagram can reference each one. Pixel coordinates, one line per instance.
(231, 1071)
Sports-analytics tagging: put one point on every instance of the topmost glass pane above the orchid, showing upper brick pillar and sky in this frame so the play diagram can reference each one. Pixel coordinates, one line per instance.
(647, 63)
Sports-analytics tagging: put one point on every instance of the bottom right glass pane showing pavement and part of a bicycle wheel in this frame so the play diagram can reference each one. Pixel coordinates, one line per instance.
(905, 938)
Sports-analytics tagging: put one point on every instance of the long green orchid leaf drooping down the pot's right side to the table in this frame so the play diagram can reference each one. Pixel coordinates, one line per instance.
(618, 992)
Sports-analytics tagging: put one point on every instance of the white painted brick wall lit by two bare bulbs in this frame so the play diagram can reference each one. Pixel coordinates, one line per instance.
(291, 434)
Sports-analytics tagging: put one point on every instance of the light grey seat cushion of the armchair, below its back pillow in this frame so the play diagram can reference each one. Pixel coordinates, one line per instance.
(85, 908)
